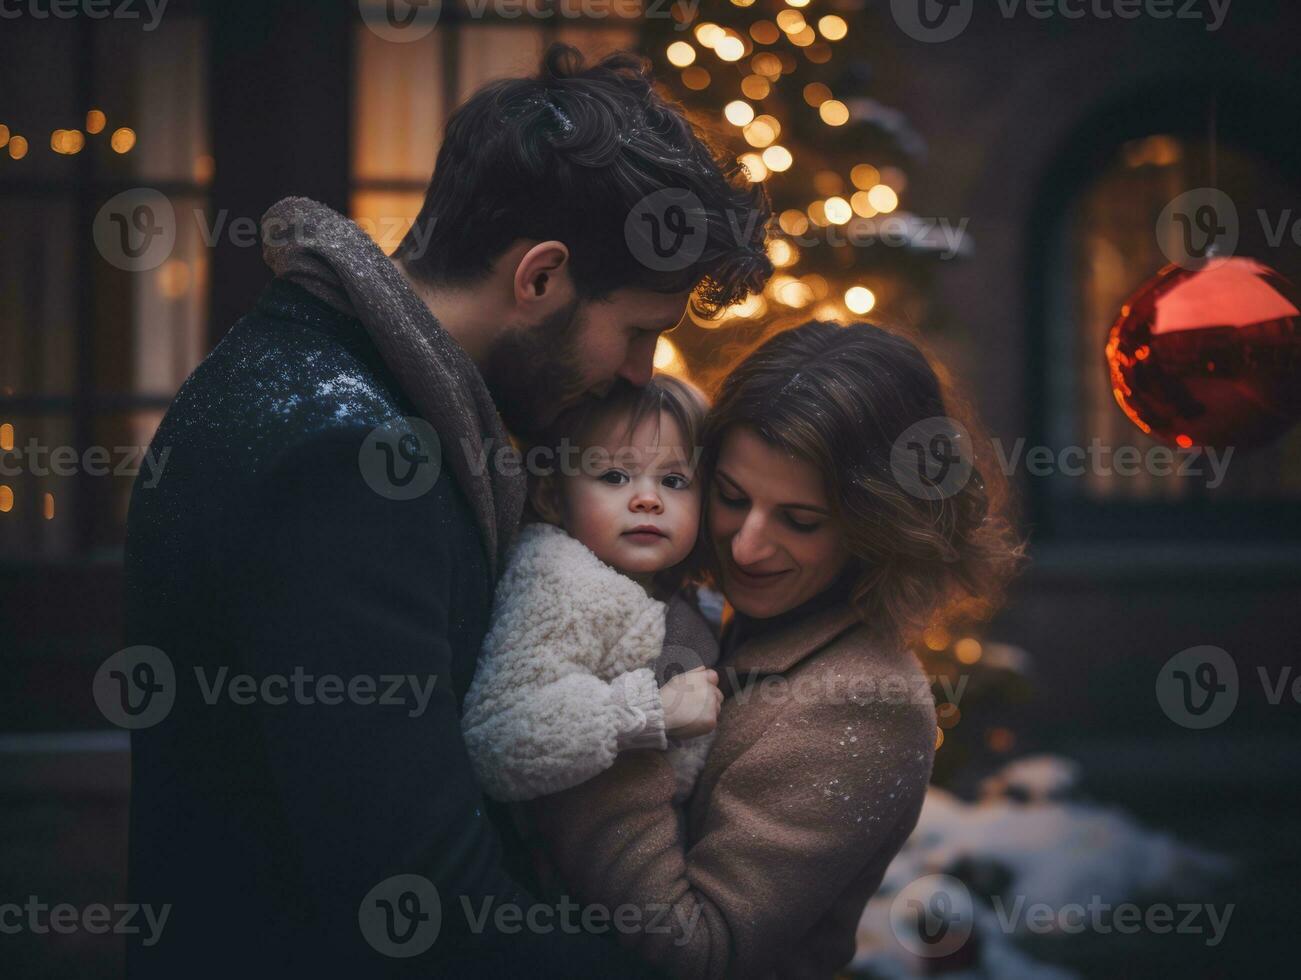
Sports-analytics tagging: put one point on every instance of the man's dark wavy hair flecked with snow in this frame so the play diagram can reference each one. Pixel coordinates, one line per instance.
(567, 156)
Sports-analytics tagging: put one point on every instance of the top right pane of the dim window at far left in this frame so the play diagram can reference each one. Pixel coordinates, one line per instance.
(153, 84)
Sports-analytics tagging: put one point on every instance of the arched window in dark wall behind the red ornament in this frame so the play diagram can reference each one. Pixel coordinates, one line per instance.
(1097, 244)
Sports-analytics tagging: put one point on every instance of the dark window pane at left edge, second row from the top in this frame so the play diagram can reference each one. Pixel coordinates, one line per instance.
(37, 299)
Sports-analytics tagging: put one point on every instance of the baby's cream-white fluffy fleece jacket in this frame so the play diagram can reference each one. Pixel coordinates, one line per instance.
(564, 683)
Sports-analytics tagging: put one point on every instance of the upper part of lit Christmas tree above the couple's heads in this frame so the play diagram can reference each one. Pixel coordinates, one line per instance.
(789, 87)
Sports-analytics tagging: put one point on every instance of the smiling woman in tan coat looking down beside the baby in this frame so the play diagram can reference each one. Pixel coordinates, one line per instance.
(833, 559)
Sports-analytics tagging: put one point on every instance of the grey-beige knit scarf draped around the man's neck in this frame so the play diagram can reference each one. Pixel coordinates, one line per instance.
(330, 256)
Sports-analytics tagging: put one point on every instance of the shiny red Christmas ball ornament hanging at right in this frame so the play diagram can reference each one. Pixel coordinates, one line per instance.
(1211, 356)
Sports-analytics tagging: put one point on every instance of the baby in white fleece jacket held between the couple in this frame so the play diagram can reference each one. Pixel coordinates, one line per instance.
(576, 668)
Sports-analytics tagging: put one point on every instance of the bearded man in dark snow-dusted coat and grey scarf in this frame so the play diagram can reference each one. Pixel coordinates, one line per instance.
(315, 569)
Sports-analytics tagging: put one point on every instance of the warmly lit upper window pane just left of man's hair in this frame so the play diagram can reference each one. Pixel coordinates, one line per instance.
(399, 109)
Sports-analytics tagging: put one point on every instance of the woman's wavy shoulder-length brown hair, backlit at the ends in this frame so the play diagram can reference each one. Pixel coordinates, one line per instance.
(841, 398)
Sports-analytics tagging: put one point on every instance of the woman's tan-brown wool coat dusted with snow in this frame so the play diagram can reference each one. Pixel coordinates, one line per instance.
(816, 776)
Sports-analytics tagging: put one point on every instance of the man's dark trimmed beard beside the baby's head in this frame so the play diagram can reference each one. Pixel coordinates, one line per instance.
(534, 374)
